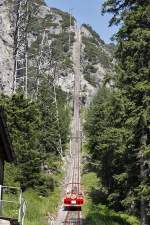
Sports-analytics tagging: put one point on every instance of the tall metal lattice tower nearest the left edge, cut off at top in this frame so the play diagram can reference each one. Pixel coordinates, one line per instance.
(21, 43)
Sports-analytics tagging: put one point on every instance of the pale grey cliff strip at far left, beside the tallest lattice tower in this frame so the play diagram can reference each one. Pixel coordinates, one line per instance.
(6, 48)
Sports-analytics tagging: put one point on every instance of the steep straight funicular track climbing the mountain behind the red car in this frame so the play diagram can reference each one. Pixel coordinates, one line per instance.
(73, 217)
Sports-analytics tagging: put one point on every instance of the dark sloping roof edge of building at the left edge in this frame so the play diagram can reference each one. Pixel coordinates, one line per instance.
(5, 144)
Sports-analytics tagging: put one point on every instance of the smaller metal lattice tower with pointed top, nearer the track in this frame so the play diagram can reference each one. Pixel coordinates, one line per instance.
(47, 64)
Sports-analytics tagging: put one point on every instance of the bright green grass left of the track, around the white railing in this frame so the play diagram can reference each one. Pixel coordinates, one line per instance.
(37, 206)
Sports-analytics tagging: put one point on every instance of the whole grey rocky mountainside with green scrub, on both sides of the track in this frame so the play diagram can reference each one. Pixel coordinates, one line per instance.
(96, 57)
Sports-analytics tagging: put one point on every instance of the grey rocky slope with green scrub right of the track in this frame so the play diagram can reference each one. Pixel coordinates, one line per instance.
(94, 67)
